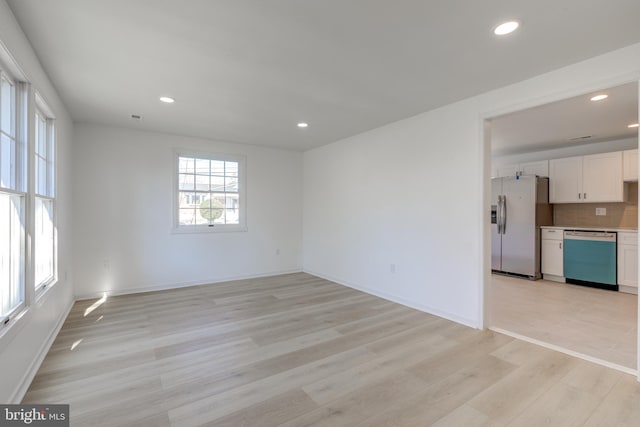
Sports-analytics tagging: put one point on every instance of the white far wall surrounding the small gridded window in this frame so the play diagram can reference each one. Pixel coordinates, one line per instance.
(123, 182)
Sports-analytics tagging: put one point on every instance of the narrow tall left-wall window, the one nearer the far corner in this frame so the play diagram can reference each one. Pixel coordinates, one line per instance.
(44, 231)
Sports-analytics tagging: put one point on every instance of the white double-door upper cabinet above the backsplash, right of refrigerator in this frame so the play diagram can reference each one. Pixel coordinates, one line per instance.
(586, 179)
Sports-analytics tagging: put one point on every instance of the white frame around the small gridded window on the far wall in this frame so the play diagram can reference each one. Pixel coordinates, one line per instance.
(242, 192)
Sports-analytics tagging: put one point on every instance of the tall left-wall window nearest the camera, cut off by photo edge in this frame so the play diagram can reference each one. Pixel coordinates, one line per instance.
(12, 202)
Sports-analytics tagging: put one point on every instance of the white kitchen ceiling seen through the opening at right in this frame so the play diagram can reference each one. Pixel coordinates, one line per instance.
(572, 121)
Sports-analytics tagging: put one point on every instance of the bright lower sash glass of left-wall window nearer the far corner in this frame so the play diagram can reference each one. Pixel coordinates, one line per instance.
(44, 241)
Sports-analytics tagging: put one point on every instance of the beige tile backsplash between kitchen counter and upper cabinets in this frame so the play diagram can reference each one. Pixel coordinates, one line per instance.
(619, 215)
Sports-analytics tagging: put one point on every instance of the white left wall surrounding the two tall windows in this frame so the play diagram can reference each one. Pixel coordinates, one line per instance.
(25, 343)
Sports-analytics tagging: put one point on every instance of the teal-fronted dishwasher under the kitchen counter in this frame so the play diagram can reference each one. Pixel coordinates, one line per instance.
(590, 258)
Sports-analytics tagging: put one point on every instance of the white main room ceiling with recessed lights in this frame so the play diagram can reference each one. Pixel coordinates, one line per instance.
(249, 70)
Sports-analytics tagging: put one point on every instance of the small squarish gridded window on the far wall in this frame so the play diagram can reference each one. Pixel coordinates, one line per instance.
(210, 193)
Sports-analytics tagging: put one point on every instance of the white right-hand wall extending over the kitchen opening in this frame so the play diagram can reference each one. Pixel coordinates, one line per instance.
(414, 193)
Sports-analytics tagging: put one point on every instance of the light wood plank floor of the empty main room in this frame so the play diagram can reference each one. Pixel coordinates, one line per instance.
(296, 350)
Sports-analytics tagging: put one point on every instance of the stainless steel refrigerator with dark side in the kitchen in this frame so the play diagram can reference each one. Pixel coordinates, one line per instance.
(519, 206)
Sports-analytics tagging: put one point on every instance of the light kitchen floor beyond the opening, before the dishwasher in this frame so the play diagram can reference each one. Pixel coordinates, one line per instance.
(594, 322)
